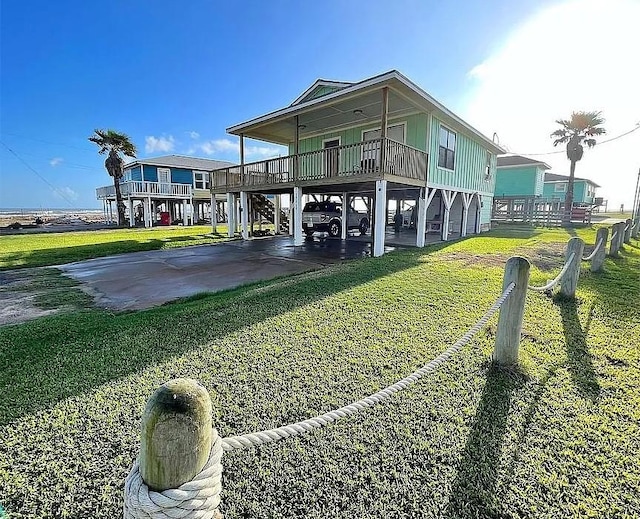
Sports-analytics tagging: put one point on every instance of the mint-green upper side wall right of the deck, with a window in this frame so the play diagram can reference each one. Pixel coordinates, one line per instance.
(470, 164)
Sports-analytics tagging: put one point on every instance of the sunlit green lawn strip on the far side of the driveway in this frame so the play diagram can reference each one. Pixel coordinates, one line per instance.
(37, 250)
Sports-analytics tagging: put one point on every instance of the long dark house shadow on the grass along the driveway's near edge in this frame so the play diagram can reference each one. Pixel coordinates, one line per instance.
(56, 357)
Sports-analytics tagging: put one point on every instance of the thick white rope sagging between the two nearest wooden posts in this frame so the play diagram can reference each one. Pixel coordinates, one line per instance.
(286, 431)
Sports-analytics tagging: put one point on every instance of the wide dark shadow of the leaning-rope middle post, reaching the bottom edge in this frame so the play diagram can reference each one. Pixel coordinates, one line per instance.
(473, 490)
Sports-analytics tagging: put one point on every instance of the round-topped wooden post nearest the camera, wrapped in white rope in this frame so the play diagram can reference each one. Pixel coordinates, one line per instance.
(176, 444)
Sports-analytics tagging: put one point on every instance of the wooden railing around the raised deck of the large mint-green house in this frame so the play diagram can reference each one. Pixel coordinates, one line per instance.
(340, 162)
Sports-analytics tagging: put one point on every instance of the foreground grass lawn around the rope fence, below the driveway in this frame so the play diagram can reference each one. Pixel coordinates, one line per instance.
(558, 437)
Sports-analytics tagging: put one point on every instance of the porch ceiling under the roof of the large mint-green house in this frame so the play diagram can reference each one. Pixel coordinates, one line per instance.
(364, 109)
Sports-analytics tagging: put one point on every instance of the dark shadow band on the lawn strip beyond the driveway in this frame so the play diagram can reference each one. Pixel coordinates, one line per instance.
(61, 255)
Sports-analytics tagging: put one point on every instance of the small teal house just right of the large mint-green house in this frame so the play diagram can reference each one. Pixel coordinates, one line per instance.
(519, 176)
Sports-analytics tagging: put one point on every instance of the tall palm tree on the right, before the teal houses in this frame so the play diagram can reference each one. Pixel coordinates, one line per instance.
(581, 128)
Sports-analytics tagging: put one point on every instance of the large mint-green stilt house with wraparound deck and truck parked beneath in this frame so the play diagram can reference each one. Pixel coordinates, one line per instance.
(426, 154)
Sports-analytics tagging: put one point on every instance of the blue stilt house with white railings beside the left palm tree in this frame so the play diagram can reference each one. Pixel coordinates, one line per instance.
(172, 184)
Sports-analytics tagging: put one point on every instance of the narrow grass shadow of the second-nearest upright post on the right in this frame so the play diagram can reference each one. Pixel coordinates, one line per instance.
(580, 364)
